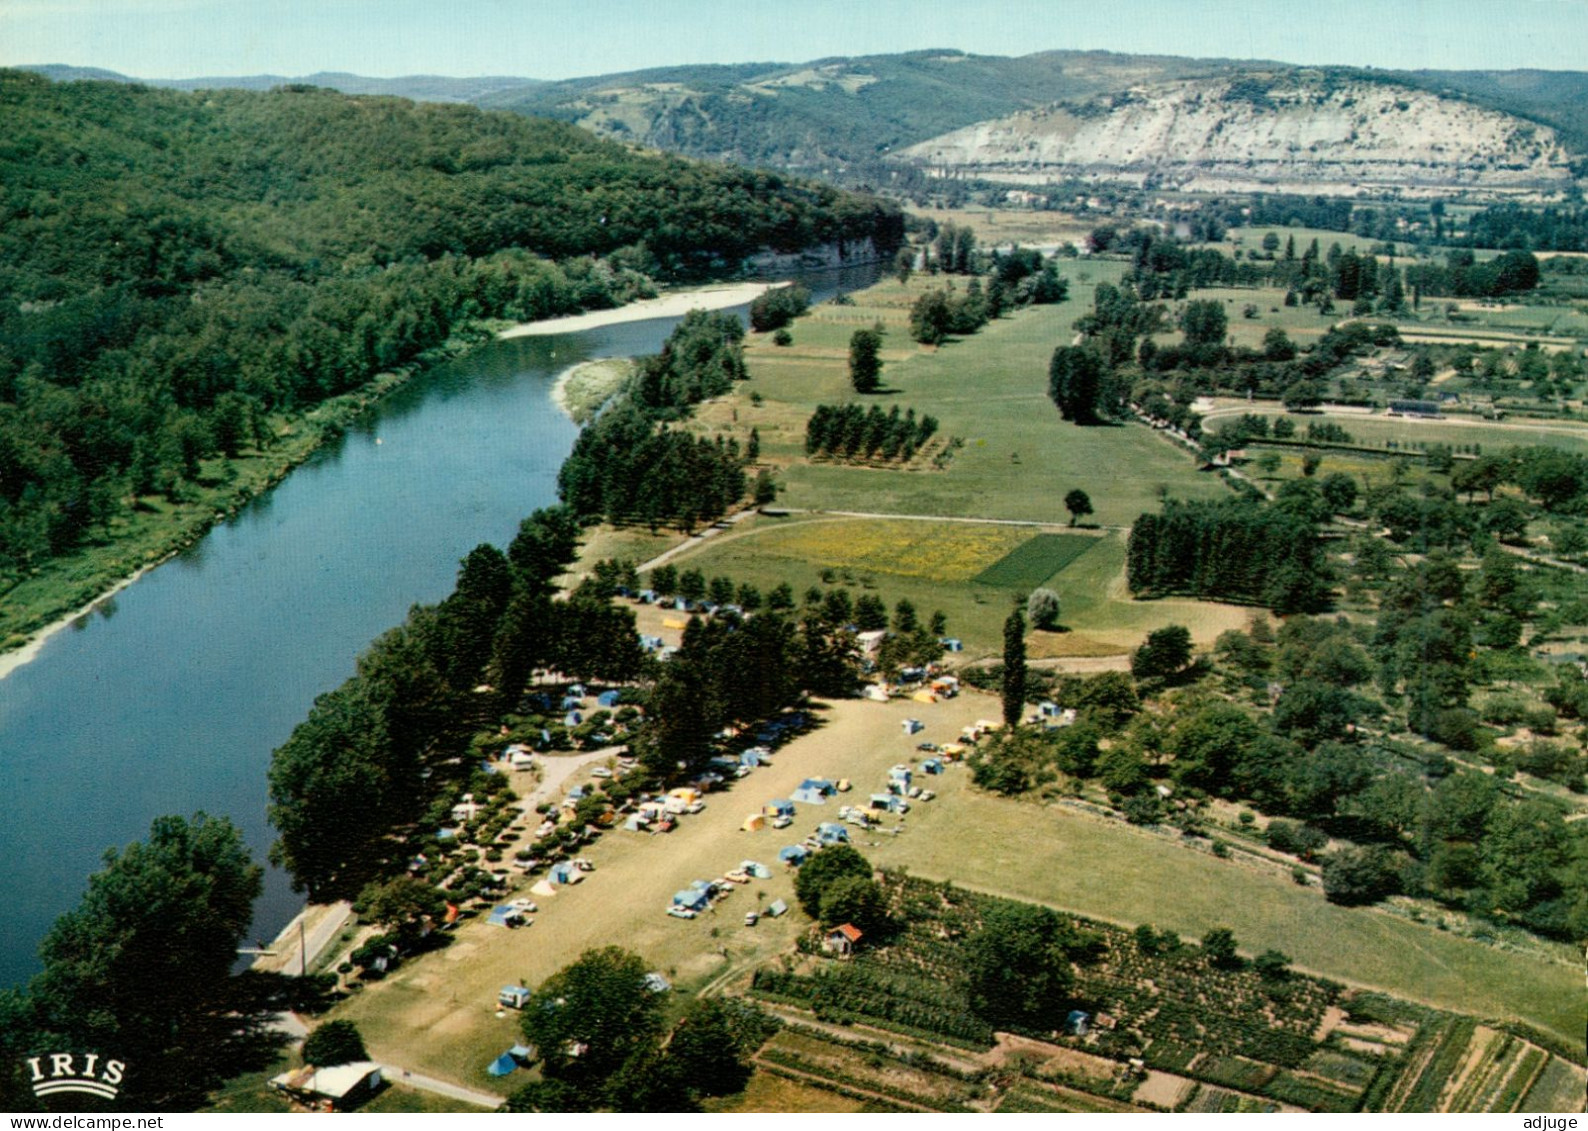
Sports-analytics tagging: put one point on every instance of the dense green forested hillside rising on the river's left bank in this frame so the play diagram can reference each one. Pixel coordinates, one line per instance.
(180, 274)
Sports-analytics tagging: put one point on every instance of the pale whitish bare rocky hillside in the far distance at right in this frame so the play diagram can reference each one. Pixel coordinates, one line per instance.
(1262, 134)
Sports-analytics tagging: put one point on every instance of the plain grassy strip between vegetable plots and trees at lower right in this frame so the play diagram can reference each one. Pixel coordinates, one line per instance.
(1117, 873)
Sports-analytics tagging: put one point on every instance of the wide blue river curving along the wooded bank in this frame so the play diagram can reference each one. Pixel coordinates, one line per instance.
(174, 695)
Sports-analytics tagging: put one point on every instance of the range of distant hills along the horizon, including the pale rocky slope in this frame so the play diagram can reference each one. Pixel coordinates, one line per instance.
(850, 120)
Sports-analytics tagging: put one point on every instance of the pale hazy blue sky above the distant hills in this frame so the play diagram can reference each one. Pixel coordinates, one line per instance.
(560, 39)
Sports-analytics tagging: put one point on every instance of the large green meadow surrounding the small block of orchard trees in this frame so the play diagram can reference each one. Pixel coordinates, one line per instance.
(1019, 458)
